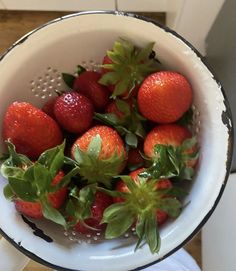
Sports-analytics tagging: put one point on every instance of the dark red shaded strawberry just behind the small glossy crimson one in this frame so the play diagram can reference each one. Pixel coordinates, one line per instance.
(87, 84)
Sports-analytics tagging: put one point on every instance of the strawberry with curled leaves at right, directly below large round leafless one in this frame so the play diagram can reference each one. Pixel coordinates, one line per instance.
(173, 151)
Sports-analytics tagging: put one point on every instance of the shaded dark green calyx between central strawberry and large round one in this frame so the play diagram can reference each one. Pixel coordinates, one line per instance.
(130, 125)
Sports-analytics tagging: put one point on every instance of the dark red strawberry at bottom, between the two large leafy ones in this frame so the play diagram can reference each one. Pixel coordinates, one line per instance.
(101, 202)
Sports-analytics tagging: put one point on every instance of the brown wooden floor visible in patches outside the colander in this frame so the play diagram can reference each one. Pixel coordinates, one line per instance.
(13, 25)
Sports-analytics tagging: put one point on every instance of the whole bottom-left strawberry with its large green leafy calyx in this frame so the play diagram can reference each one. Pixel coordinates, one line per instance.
(37, 188)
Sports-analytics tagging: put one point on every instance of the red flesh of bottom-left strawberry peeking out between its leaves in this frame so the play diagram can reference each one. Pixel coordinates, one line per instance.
(34, 209)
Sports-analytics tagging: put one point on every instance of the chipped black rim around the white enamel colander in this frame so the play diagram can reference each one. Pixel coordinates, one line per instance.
(226, 118)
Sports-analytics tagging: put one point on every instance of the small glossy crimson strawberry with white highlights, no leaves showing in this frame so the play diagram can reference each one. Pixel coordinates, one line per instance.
(74, 112)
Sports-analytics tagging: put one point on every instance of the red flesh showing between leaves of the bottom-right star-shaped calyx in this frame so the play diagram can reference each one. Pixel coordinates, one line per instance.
(162, 216)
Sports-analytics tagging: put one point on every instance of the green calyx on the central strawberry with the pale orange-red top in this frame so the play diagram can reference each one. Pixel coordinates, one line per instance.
(96, 170)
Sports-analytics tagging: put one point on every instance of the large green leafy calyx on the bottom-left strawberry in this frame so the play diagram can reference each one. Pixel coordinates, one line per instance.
(32, 181)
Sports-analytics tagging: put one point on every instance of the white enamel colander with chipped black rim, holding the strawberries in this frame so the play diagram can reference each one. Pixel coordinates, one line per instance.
(31, 71)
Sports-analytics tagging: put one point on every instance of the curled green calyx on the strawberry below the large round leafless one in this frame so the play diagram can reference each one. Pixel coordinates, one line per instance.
(173, 161)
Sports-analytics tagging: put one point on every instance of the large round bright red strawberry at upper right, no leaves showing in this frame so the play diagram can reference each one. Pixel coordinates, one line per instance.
(164, 96)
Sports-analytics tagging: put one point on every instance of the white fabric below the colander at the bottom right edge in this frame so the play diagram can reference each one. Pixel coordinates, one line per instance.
(179, 261)
